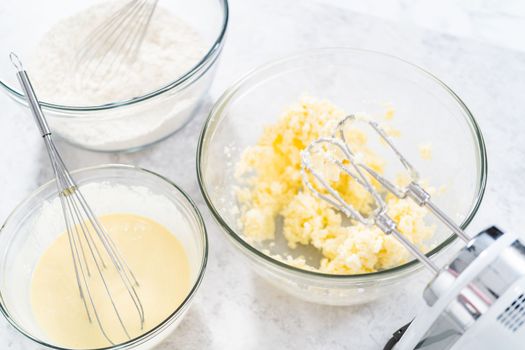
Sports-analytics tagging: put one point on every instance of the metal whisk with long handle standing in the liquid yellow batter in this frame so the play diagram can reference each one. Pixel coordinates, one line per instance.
(95, 255)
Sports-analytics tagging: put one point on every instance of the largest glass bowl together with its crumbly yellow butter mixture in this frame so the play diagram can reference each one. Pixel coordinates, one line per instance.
(248, 164)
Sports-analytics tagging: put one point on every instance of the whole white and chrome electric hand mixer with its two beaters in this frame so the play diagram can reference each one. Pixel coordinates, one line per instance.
(477, 301)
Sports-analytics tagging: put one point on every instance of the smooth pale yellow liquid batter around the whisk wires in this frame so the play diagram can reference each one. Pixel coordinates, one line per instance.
(155, 256)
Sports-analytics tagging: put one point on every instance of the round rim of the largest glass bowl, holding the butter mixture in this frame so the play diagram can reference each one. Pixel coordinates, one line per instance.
(230, 94)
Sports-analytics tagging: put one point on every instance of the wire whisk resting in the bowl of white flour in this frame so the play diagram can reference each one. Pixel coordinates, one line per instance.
(116, 39)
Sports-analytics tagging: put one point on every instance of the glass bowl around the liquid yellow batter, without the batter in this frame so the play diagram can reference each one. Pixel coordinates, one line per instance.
(21, 247)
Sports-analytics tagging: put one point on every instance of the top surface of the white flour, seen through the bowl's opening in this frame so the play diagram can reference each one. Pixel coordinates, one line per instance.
(170, 48)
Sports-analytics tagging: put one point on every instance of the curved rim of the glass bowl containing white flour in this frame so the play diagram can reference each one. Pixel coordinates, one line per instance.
(204, 63)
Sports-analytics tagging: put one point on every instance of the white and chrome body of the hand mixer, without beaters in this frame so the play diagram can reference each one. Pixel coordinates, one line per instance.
(475, 302)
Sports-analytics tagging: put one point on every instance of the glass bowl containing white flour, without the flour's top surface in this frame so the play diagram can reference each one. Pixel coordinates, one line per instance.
(147, 118)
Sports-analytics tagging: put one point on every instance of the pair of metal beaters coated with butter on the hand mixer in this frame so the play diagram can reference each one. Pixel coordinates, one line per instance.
(337, 151)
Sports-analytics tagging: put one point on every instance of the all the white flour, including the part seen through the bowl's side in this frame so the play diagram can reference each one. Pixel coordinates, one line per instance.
(170, 49)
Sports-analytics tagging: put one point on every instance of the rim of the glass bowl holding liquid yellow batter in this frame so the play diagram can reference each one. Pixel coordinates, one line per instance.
(129, 344)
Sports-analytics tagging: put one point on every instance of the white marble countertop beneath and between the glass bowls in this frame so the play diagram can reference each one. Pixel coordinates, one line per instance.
(476, 47)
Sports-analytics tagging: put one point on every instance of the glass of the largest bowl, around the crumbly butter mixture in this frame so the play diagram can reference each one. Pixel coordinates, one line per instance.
(427, 111)
